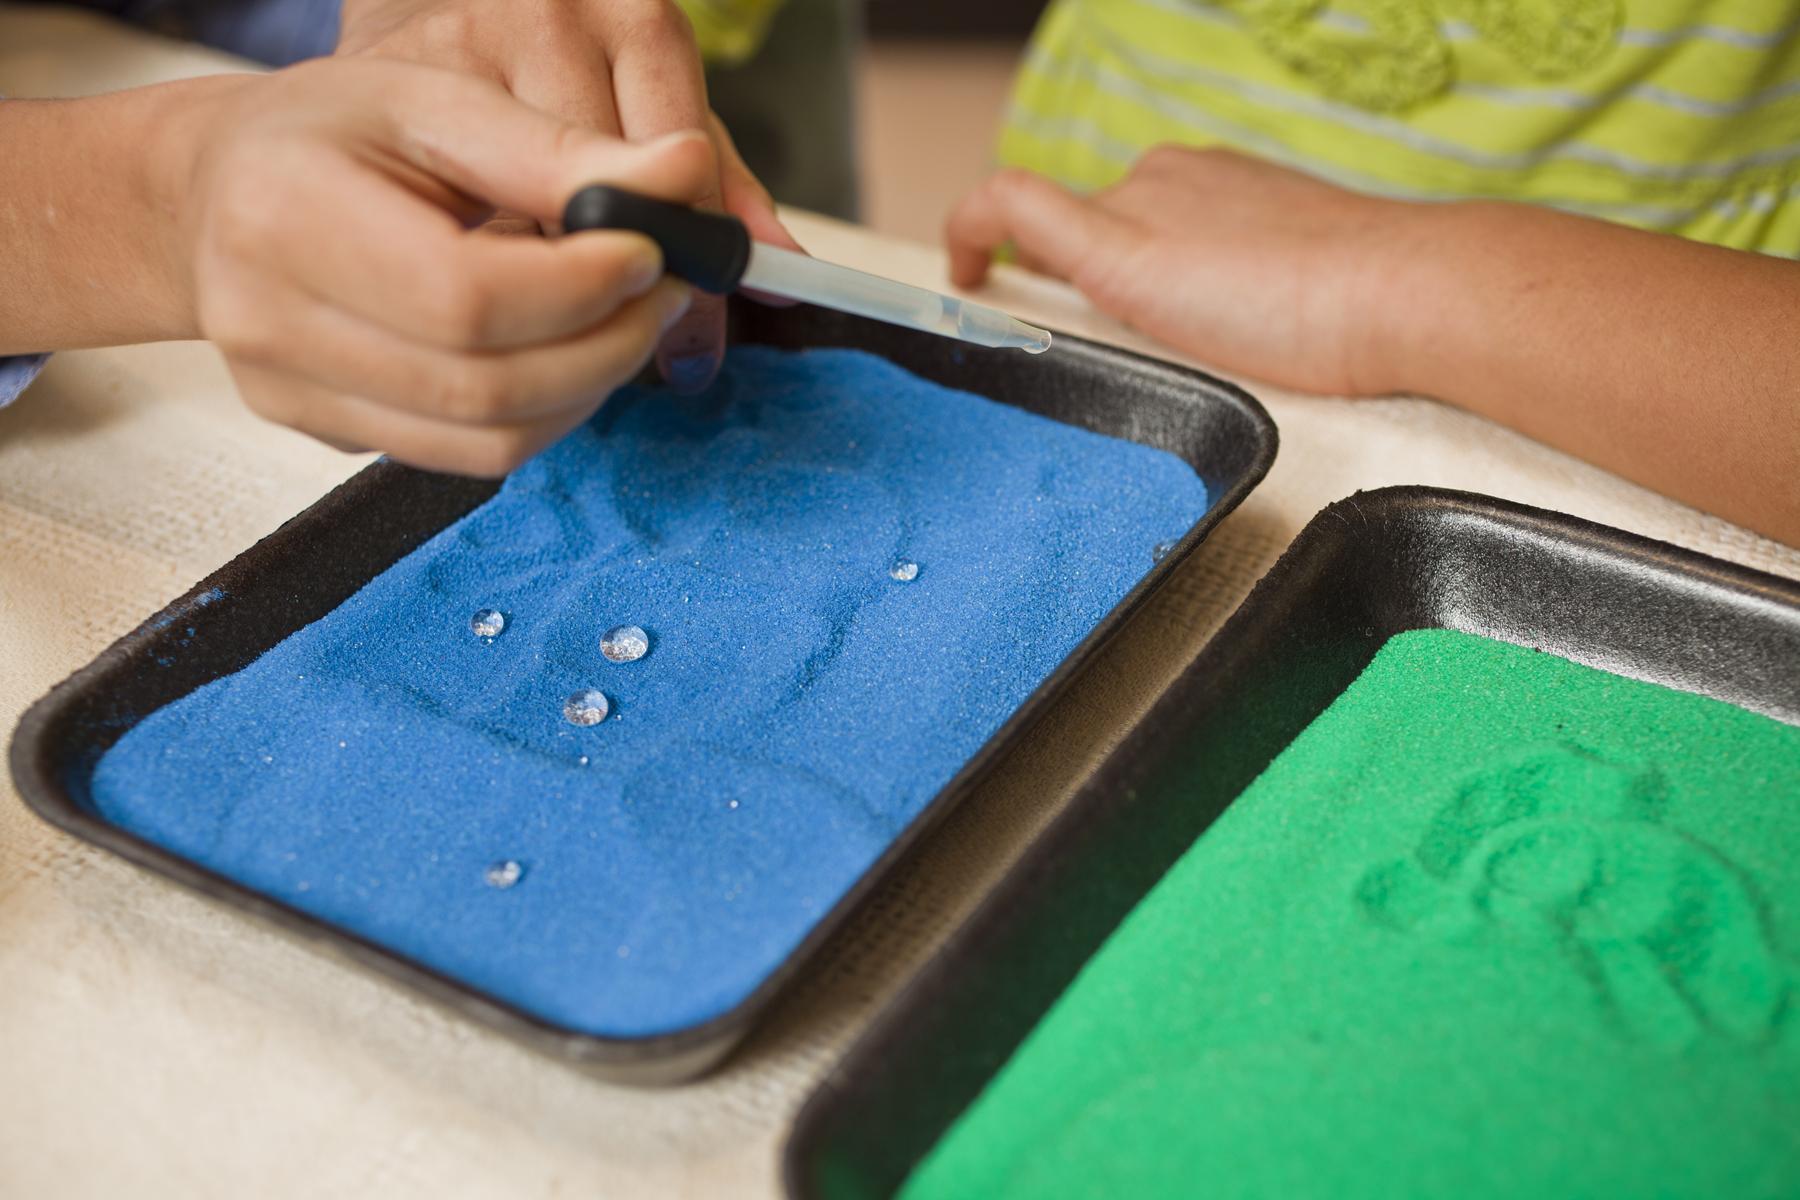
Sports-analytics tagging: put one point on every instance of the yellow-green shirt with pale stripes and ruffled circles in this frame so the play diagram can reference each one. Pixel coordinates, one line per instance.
(1678, 116)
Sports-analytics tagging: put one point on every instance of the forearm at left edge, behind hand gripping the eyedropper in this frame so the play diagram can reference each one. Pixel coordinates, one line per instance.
(91, 204)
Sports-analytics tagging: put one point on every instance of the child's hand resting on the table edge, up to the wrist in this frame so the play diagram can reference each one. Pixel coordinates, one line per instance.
(1241, 264)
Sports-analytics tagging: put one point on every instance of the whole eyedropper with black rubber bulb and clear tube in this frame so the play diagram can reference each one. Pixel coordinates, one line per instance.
(715, 253)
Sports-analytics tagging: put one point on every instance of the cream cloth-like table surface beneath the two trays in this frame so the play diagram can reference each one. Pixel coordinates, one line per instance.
(157, 1044)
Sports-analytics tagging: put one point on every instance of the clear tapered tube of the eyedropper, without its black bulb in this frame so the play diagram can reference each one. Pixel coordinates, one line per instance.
(800, 278)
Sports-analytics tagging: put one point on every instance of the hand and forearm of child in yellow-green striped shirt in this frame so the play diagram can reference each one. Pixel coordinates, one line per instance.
(1662, 359)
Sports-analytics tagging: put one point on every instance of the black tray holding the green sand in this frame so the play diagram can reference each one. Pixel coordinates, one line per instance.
(1365, 569)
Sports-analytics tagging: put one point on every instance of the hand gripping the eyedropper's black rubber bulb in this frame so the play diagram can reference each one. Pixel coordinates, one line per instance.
(328, 246)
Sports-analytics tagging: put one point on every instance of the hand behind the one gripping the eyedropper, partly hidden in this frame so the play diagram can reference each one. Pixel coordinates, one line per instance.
(625, 67)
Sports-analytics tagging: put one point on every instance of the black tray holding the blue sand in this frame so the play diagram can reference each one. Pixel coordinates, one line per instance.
(319, 559)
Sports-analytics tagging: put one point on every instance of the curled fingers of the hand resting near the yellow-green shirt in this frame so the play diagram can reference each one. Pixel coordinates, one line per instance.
(1050, 226)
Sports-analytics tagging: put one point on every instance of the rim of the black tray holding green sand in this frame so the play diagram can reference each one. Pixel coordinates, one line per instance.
(888, 1032)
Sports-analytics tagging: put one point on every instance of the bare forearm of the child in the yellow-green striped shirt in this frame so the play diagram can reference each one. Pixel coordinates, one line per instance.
(1669, 363)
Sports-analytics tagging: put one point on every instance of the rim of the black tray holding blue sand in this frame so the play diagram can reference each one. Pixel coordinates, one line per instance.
(661, 1059)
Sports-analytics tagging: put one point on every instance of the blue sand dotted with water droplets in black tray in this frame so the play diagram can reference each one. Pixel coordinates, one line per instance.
(796, 710)
